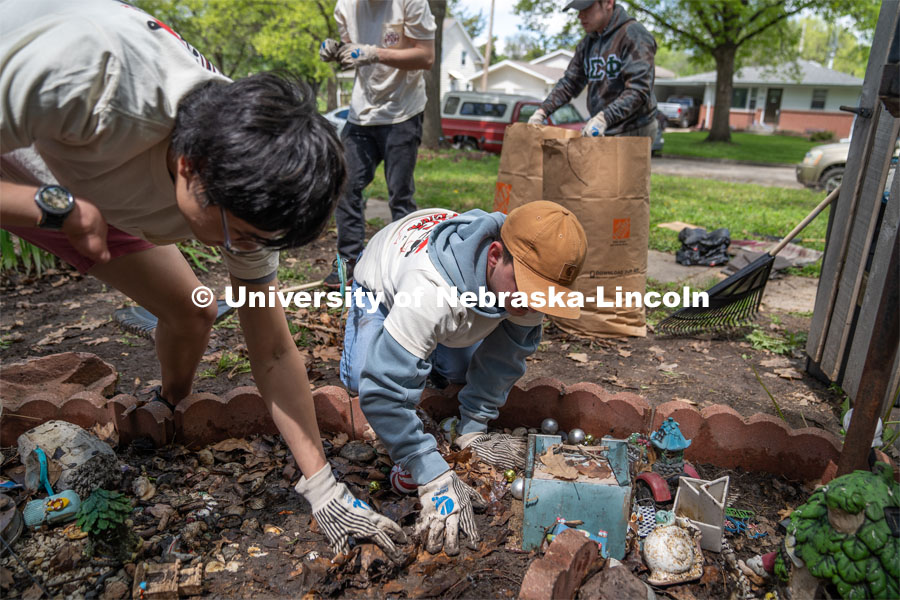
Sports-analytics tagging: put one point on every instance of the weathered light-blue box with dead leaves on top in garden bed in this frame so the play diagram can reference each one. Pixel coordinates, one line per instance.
(600, 498)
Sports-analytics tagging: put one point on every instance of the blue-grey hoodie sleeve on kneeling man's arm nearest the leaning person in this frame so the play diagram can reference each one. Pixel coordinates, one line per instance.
(390, 387)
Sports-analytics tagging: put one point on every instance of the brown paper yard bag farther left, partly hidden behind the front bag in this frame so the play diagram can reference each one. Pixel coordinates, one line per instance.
(520, 173)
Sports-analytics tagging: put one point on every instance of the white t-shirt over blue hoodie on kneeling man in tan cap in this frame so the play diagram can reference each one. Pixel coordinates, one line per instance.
(396, 259)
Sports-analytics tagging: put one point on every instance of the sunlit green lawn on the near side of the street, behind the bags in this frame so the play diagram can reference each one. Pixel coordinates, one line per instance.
(464, 180)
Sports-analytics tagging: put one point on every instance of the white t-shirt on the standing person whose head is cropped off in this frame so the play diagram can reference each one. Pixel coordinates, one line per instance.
(381, 94)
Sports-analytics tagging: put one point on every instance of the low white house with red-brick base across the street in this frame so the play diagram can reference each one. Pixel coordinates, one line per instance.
(800, 97)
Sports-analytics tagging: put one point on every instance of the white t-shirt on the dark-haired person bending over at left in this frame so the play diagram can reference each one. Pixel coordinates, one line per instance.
(93, 86)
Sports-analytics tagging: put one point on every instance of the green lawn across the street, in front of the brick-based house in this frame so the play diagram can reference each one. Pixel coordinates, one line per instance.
(743, 146)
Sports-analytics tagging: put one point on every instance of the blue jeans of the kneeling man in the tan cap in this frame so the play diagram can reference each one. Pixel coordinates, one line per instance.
(451, 363)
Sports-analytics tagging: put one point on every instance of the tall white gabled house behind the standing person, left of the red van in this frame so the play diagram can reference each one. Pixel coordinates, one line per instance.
(460, 60)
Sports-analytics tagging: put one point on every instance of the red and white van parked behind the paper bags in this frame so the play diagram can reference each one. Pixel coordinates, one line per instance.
(478, 120)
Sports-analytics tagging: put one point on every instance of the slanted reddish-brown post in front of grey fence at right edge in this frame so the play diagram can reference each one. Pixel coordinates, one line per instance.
(876, 373)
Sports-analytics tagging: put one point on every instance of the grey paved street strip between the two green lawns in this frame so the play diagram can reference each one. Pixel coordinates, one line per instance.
(761, 175)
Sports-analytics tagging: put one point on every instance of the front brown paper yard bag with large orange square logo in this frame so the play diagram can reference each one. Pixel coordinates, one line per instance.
(605, 182)
